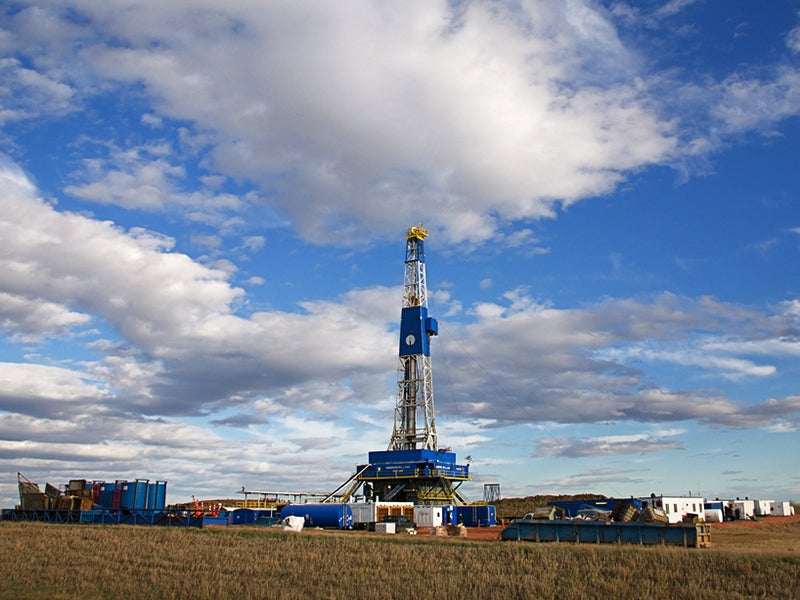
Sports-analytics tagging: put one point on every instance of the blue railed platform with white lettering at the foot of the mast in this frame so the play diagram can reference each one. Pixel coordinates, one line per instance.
(392, 464)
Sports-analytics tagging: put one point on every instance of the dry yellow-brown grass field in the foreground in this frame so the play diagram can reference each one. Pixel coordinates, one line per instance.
(93, 561)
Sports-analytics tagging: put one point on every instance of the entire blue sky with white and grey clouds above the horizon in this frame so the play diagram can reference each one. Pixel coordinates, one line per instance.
(202, 236)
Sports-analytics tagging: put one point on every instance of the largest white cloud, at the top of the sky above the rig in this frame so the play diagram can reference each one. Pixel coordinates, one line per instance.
(517, 109)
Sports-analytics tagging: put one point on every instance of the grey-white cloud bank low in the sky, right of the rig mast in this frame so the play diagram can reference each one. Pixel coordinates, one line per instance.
(587, 365)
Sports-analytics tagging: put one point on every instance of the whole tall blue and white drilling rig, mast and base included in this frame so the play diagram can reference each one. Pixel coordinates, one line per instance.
(413, 468)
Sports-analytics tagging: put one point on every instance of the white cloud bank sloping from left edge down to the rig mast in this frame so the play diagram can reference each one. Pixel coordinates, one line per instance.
(183, 345)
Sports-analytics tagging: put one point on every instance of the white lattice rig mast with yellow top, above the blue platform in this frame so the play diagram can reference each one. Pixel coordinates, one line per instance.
(414, 423)
